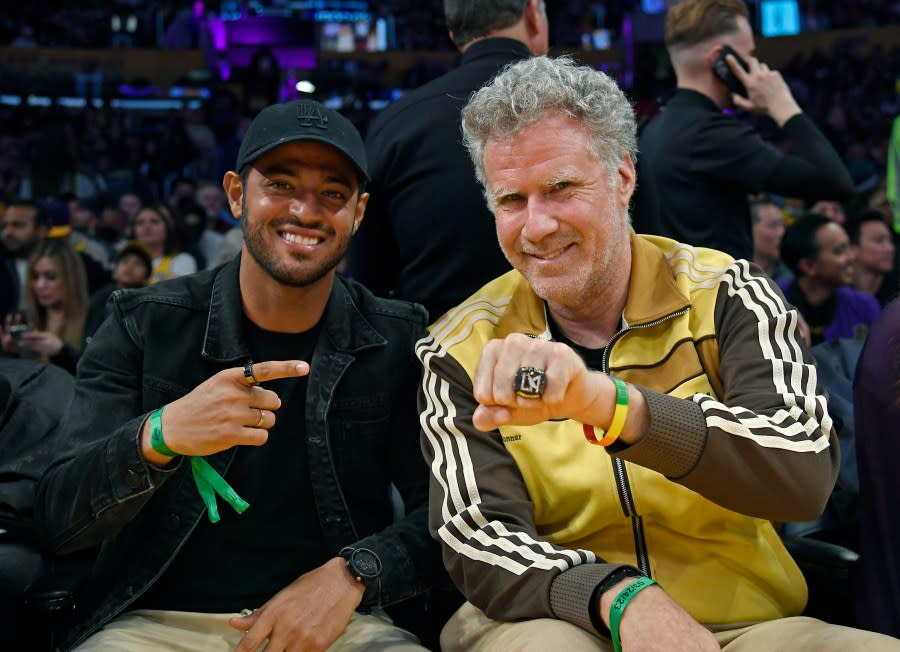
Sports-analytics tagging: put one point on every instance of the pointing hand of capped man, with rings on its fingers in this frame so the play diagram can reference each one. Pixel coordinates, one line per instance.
(222, 412)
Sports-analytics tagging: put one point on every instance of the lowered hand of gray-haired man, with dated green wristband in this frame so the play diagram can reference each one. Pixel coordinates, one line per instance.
(653, 621)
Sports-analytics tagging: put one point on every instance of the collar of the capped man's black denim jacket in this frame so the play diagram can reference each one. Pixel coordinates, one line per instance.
(346, 327)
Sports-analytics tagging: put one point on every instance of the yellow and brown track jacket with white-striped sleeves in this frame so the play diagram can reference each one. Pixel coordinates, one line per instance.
(532, 518)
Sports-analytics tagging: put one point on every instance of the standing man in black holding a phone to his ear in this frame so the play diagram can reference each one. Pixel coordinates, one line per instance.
(697, 163)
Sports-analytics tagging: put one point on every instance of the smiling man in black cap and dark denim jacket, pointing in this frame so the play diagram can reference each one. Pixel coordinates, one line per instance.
(239, 502)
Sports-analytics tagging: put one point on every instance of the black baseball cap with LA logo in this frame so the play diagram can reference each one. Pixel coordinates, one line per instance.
(302, 120)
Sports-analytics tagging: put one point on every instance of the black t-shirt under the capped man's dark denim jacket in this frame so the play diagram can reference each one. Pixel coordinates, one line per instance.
(243, 560)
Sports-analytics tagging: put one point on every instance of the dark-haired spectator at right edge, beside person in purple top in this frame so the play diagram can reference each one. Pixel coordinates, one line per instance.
(874, 265)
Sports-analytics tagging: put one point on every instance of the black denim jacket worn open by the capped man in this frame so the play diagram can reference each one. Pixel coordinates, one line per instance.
(161, 342)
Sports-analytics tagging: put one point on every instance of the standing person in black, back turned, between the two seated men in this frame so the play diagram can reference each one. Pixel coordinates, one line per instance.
(429, 236)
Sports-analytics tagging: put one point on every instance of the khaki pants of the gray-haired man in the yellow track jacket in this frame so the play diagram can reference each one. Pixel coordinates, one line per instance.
(469, 630)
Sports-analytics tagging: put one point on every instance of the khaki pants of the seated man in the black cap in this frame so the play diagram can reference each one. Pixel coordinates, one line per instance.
(150, 630)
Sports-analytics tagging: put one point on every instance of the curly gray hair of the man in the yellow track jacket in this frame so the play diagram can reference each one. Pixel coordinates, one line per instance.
(524, 92)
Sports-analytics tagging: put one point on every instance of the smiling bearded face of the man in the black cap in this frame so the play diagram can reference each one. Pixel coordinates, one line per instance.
(300, 206)
